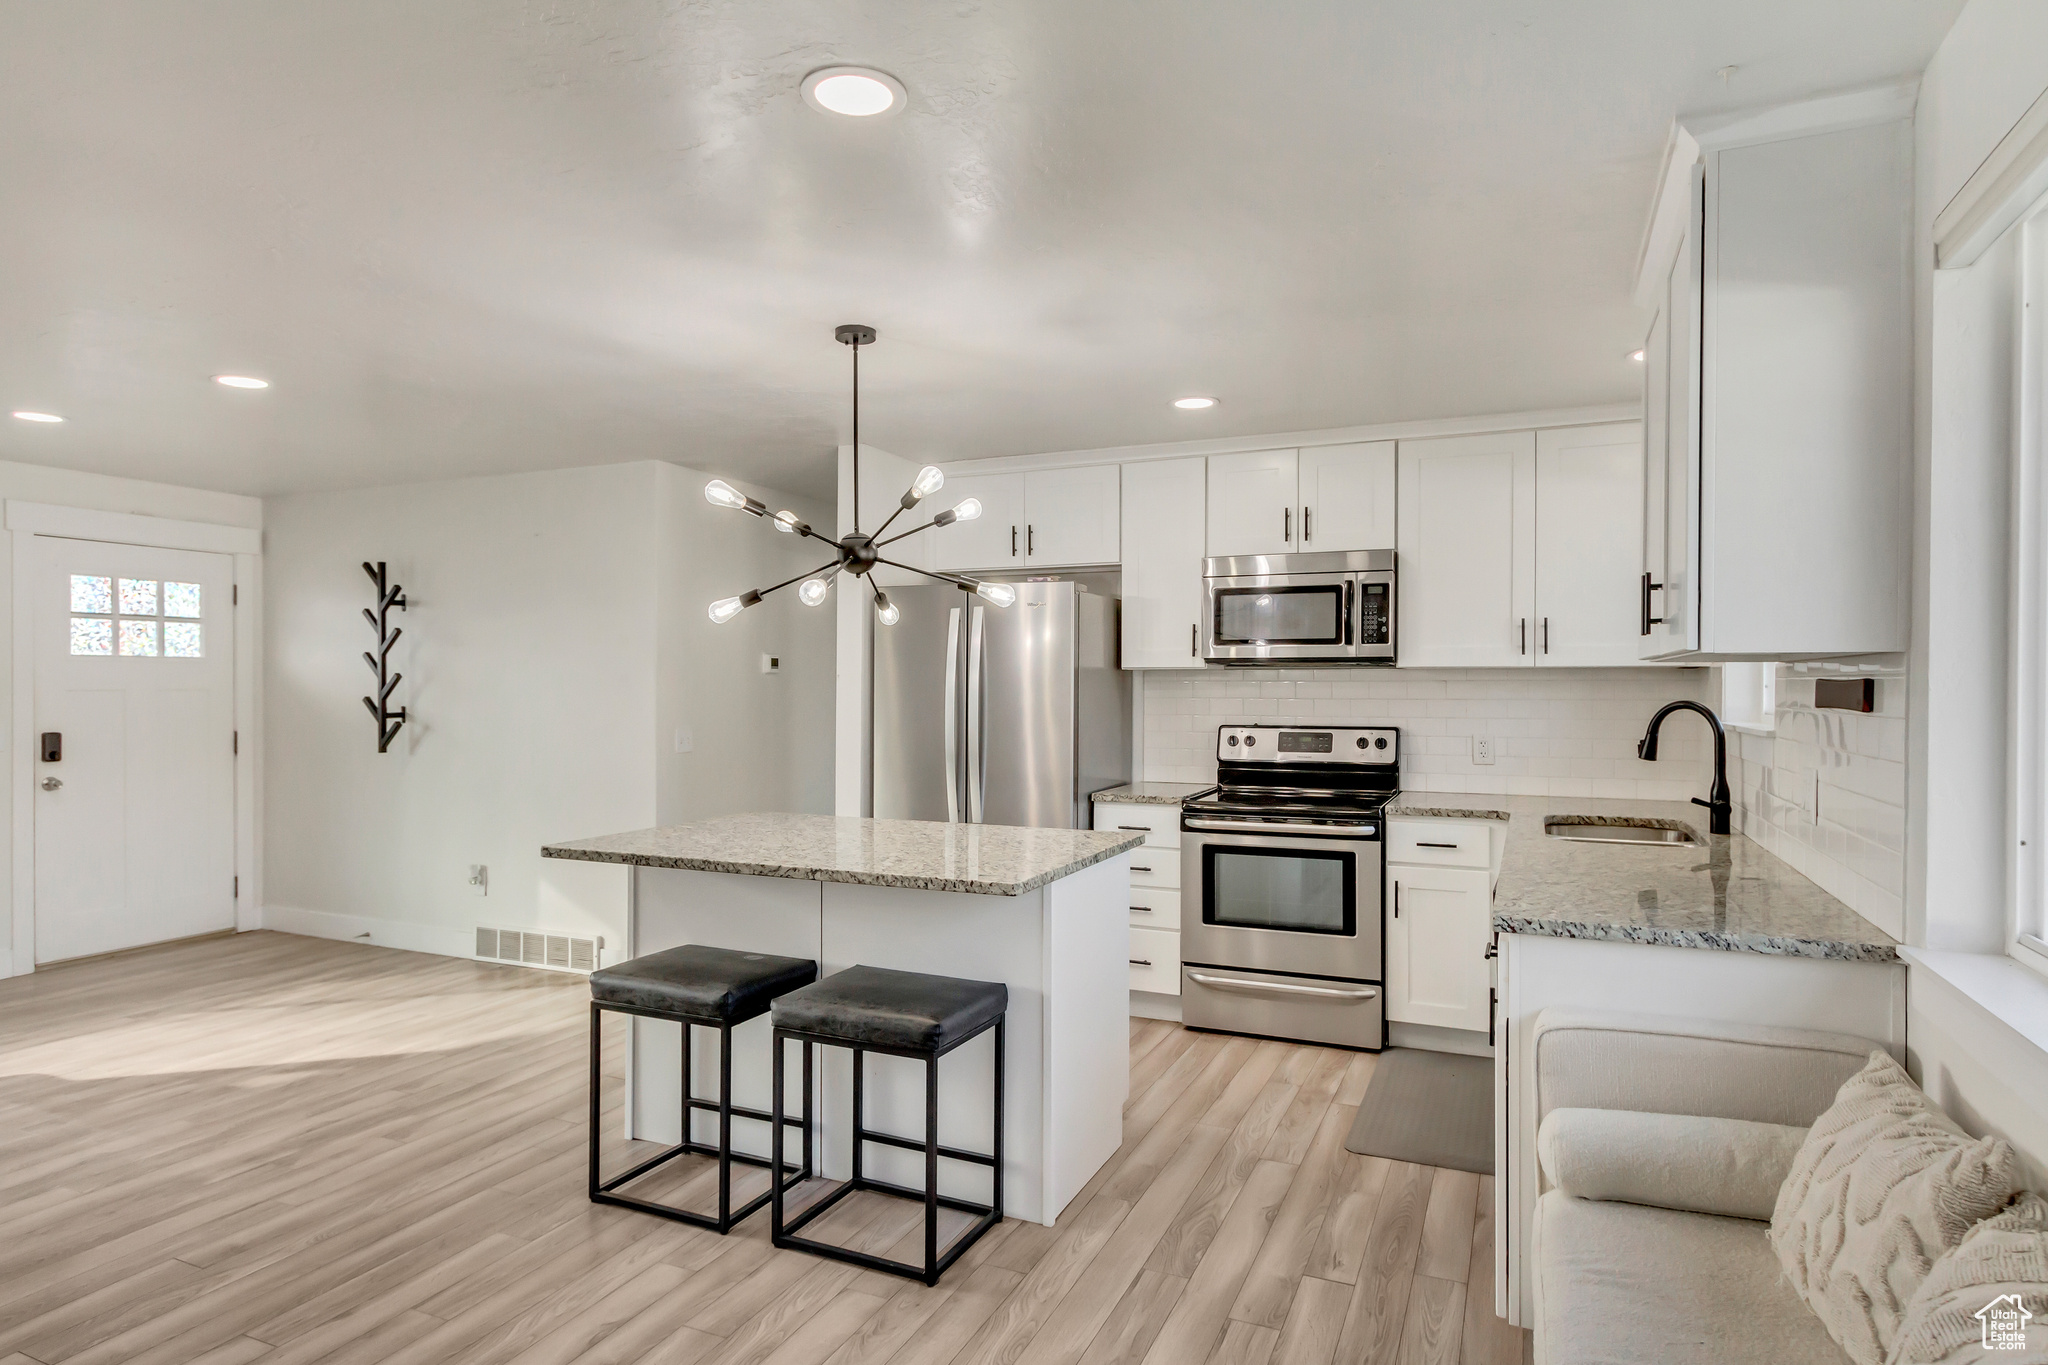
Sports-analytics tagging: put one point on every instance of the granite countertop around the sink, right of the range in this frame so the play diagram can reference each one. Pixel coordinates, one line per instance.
(1732, 895)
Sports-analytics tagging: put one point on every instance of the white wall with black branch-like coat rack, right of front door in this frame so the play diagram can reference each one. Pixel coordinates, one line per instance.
(548, 656)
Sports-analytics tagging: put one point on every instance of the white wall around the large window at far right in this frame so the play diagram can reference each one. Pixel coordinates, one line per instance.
(1983, 79)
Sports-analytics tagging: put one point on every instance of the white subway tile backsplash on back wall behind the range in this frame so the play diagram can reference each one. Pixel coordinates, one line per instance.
(1558, 732)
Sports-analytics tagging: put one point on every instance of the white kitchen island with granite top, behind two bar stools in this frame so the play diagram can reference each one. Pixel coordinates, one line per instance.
(1037, 910)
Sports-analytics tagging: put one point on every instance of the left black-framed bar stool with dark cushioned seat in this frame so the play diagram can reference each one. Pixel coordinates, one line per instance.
(712, 987)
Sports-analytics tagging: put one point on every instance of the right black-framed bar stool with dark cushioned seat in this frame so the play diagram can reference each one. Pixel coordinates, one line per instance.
(896, 1014)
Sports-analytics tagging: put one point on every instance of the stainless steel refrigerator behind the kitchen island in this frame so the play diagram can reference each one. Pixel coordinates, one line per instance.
(998, 715)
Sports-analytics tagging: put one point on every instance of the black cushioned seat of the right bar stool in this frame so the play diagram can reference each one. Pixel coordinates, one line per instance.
(876, 1008)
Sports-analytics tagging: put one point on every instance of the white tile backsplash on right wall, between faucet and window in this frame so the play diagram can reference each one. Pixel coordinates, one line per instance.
(1828, 789)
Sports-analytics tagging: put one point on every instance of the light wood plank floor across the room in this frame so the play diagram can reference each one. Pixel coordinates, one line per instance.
(290, 1151)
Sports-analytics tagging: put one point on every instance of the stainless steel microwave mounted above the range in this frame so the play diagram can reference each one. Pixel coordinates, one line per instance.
(1302, 609)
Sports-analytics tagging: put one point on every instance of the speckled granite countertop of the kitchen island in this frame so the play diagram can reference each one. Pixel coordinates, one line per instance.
(990, 861)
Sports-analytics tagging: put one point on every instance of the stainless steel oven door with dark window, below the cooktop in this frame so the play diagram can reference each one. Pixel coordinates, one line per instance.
(1283, 899)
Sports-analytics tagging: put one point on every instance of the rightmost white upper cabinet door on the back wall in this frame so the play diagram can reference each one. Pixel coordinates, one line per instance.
(1588, 533)
